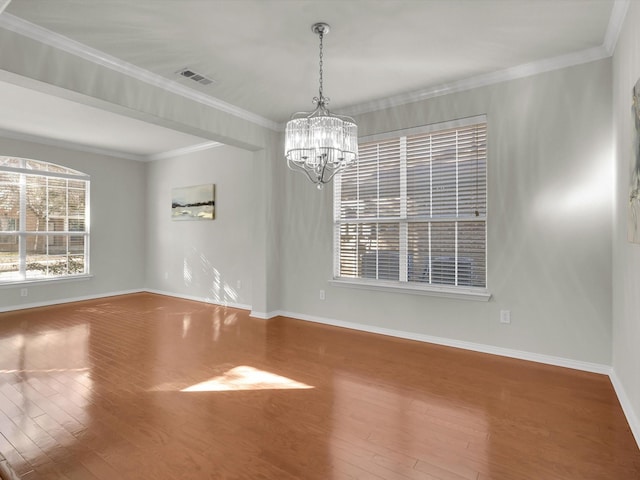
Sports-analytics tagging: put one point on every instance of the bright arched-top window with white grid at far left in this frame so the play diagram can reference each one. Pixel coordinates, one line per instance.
(44, 231)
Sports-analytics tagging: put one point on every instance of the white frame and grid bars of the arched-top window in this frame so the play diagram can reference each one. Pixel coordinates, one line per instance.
(49, 170)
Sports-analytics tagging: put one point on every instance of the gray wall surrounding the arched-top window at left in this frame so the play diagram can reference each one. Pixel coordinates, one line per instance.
(117, 230)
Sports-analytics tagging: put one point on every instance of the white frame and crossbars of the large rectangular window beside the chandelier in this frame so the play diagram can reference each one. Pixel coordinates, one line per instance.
(403, 222)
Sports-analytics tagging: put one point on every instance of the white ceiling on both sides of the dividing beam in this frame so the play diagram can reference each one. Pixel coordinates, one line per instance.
(264, 57)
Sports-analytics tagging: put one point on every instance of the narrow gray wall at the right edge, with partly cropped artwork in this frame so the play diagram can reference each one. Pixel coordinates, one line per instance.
(626, 256)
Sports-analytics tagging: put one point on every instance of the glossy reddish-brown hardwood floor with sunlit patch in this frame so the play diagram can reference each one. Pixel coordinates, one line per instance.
(150, 387)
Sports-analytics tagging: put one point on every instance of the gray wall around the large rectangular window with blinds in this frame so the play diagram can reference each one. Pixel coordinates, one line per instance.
(549, 226)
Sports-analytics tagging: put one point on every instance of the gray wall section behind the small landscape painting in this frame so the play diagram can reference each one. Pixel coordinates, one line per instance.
(203, 260)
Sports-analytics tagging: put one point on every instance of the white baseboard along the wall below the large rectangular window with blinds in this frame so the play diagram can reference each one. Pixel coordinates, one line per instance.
(476, 347)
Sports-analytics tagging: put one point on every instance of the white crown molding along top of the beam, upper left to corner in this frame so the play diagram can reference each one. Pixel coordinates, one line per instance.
(35, 32)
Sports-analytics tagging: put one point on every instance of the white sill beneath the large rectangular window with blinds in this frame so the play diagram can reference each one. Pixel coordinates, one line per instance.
(475, 294)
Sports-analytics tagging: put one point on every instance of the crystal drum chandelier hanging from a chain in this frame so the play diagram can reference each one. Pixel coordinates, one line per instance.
(319, 143)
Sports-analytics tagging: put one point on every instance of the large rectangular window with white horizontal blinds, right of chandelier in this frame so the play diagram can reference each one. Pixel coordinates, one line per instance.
(413, 209)
